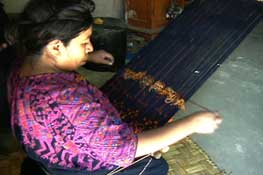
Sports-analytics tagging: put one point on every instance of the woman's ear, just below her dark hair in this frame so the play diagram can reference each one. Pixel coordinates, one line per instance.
(55, 48)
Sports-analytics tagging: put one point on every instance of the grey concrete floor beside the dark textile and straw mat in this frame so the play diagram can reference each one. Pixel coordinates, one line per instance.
(236, 91)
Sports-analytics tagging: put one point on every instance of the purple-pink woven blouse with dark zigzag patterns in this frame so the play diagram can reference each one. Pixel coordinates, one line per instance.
(64, 122)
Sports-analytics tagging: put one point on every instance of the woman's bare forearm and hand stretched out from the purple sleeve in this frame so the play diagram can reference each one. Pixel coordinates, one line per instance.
(153, 140)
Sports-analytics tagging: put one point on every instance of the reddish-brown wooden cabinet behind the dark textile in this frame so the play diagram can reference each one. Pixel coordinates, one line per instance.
(147, 16)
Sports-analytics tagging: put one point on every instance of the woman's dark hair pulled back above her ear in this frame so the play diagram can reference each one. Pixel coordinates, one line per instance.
(45, 20)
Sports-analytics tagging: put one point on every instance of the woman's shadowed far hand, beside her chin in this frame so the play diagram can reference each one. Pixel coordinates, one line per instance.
(101, 57)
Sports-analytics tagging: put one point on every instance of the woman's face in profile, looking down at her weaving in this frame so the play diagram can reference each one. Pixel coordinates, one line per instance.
(76, 52)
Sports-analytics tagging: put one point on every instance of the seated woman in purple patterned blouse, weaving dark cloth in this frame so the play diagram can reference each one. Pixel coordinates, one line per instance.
(63, 122)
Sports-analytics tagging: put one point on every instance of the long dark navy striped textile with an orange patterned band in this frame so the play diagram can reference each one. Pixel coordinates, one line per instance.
(173, 66)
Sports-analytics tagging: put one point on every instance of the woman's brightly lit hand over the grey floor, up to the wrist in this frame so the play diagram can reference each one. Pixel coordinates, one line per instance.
(205, 122)
